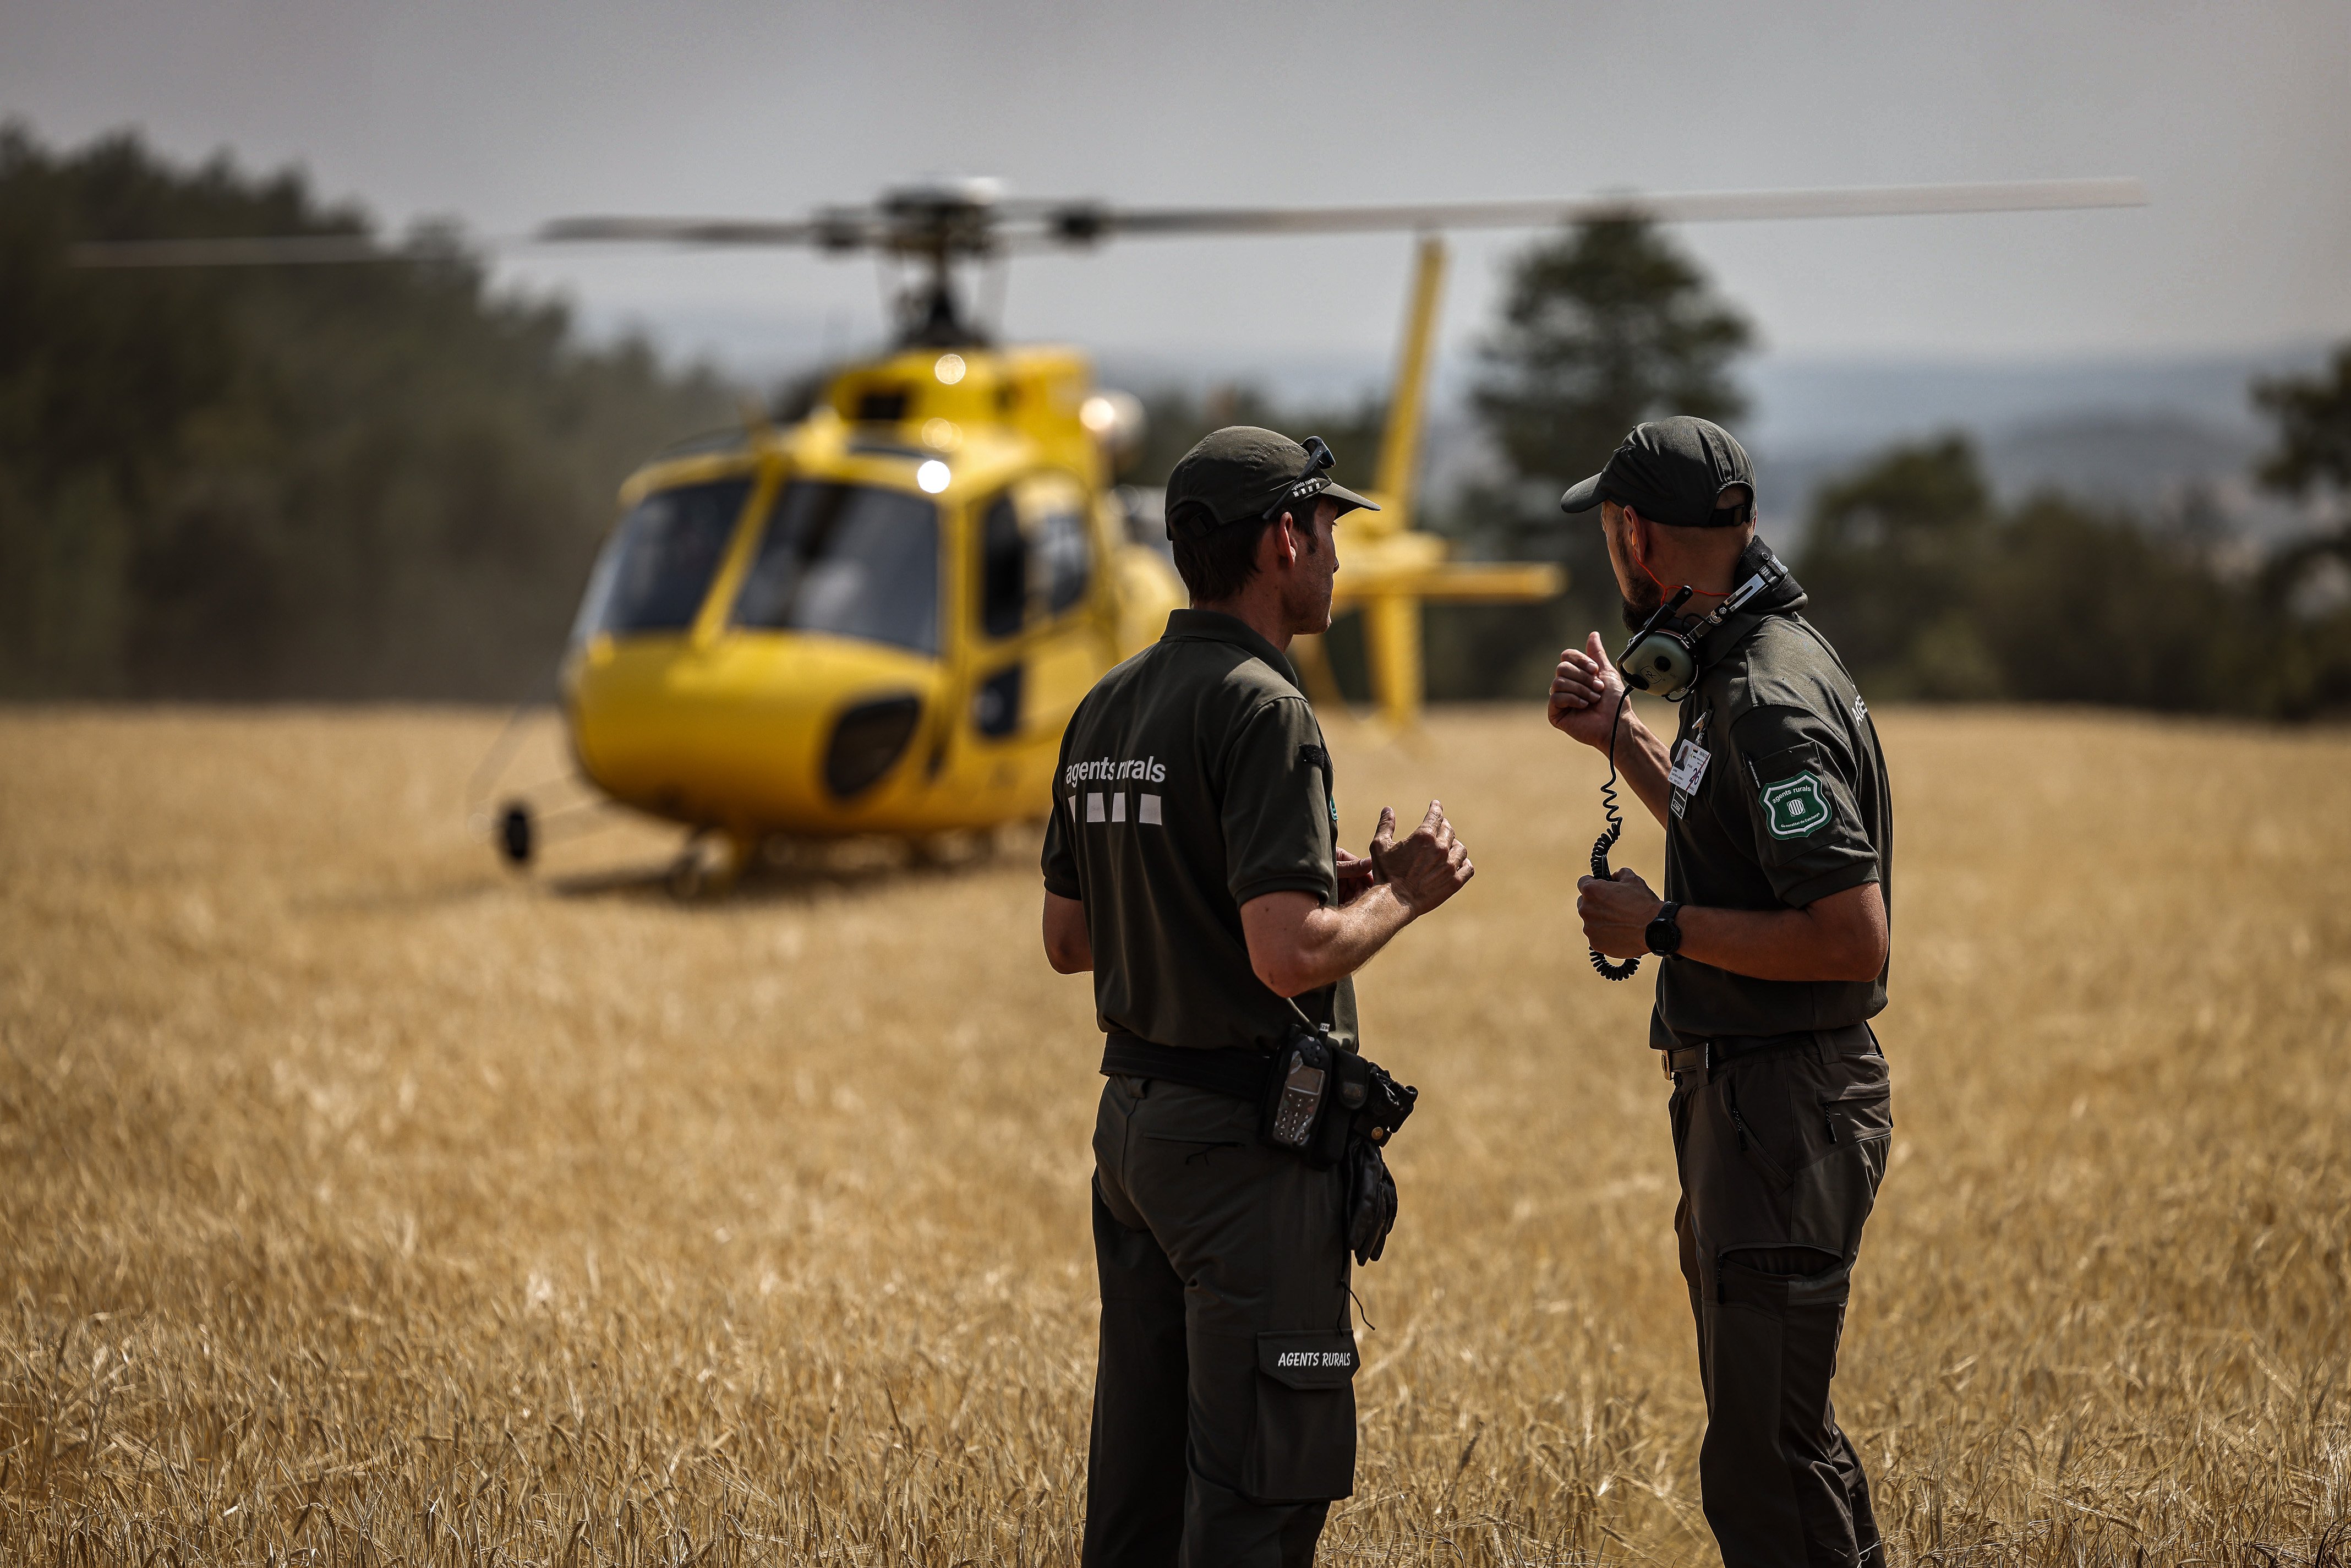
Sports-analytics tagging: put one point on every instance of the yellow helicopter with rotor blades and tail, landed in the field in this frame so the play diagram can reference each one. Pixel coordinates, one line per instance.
(880, 619)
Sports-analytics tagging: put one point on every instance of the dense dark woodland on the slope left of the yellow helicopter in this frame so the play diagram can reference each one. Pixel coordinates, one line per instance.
(300, 481)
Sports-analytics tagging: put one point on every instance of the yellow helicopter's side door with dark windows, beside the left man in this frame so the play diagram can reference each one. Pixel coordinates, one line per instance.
(1040, 648)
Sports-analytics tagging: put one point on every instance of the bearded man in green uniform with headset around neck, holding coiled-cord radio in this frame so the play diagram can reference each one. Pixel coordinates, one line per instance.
(1771, 939)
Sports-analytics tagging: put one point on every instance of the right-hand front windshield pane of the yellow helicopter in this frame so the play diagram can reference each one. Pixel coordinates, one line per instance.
(848, 561)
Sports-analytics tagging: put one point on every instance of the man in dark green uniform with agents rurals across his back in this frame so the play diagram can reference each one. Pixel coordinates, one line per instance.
(1193, 866)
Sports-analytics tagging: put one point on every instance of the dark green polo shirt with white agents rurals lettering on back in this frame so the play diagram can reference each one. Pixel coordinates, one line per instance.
(1191, 782)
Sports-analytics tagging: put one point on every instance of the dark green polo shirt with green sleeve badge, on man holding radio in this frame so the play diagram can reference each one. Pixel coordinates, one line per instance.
(1790, 805)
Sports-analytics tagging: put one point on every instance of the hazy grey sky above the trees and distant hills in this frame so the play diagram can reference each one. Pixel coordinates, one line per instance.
(2239, 119)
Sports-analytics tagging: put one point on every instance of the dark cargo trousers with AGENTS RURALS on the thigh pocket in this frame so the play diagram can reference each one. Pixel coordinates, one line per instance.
(1224, 1275)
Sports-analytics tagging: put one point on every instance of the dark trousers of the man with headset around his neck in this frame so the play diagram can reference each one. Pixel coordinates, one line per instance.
(1781, 1160)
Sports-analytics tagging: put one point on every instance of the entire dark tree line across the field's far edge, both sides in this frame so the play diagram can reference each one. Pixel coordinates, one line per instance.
(389, 481)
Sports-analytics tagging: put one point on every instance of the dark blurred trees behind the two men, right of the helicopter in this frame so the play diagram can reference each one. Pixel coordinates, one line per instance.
(1924, 579)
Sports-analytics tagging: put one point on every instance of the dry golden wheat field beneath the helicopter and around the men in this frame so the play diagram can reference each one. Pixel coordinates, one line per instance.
(368, 1205)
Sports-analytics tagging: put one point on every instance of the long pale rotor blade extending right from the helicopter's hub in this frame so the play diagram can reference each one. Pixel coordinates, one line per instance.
(1083, 222)
